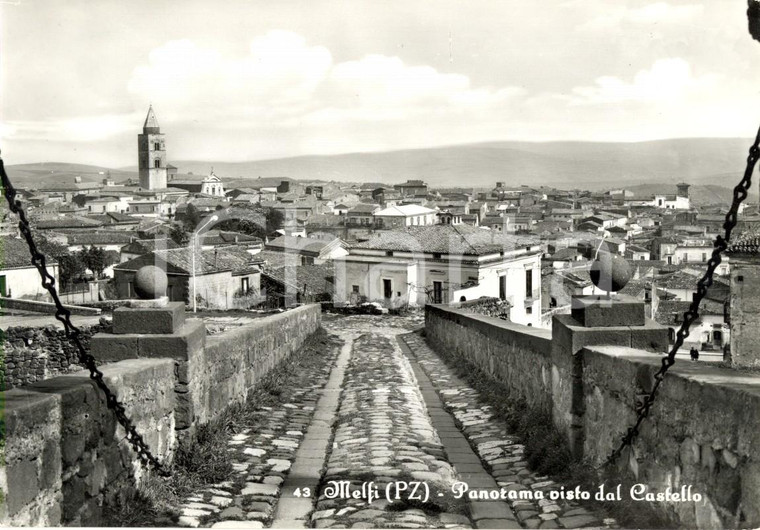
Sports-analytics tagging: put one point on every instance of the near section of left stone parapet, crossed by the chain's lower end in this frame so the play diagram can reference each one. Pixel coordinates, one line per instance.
(65, 456)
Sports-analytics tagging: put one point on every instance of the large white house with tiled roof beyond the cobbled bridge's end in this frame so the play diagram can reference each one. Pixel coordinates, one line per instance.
(443, 264)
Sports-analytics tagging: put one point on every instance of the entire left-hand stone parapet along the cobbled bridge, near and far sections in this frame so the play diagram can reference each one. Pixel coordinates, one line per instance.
(66, 456)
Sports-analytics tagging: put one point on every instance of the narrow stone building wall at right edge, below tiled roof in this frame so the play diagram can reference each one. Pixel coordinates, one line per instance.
(745, 309)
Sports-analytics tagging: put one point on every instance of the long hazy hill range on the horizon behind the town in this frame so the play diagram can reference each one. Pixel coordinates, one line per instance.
(587, 165)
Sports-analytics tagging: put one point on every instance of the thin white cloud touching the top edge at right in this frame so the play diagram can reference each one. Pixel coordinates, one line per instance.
(657, 13)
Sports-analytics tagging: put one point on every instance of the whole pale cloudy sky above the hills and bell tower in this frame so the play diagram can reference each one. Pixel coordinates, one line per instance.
(244, 79)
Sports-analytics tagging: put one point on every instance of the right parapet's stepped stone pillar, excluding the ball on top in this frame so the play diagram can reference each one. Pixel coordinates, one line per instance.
(594, 320)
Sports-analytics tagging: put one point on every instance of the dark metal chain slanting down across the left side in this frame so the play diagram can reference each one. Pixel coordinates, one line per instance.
(73, 333)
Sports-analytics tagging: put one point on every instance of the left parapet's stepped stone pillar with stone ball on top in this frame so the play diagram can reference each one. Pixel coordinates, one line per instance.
(155, 327)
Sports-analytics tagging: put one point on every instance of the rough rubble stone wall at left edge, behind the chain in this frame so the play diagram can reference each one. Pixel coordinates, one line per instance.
(34, 354)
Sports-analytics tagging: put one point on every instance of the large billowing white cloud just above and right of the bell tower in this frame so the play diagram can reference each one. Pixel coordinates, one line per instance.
(183, 77)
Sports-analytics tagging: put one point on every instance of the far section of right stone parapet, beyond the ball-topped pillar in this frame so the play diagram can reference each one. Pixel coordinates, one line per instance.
(518, 356)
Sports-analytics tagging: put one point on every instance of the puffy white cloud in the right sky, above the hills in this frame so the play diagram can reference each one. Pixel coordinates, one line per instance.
(667, 80)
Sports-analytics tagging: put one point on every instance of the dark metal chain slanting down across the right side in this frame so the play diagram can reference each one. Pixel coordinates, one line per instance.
(720, 245)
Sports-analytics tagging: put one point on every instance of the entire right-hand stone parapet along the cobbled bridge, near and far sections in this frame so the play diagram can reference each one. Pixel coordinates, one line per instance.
(701, 432)
